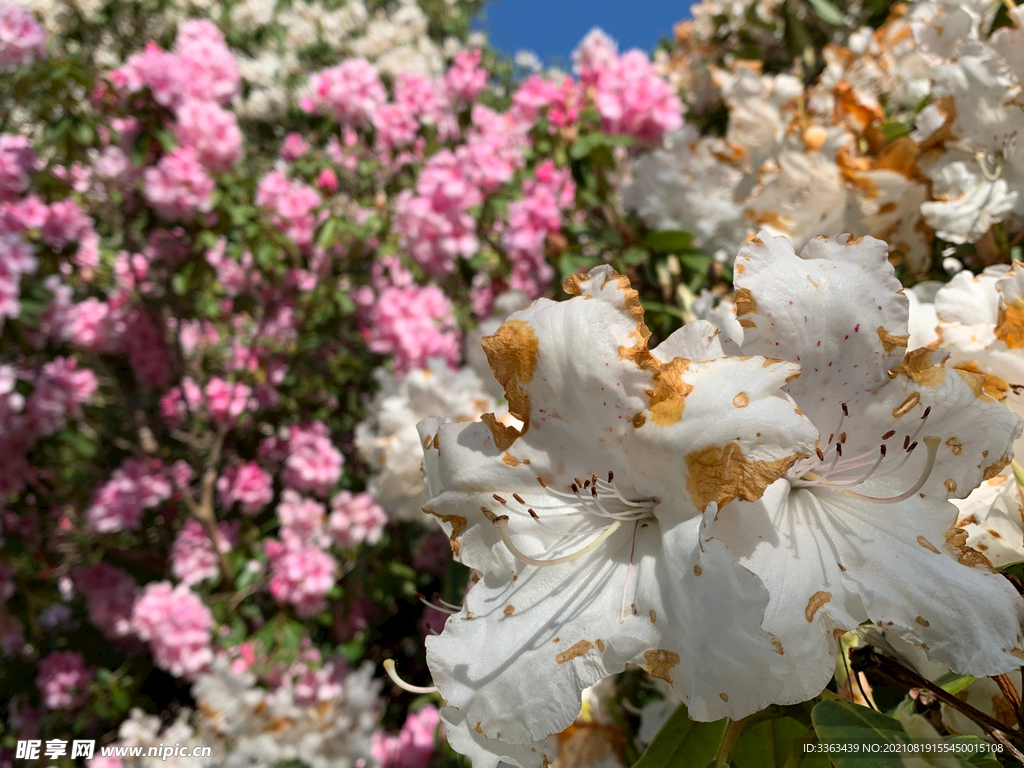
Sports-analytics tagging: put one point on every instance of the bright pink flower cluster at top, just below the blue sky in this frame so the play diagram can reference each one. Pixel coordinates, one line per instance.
(630, 97)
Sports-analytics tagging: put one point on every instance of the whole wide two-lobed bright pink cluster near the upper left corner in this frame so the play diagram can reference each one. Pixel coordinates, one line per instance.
(202, 68)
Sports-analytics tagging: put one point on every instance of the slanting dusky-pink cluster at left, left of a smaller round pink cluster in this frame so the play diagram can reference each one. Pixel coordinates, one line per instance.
(137, 486)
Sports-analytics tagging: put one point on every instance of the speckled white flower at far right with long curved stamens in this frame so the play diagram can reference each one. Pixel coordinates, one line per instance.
(864, 530)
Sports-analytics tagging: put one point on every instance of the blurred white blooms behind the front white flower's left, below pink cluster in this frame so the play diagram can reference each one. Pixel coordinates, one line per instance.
(388, 440)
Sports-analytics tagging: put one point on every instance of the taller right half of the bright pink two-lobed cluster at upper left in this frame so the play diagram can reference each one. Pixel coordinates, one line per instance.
(207, 66)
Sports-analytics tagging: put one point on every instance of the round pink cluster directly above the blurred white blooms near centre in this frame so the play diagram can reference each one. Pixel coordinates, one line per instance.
(413, 325)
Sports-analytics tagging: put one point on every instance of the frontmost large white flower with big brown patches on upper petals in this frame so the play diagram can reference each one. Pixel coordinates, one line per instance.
(587, 527)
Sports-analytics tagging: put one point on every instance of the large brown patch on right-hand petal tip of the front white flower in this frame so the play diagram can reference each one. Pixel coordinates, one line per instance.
(720, 476)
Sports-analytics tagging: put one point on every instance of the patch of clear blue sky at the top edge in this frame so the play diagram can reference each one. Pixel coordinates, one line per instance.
(552, 28)
